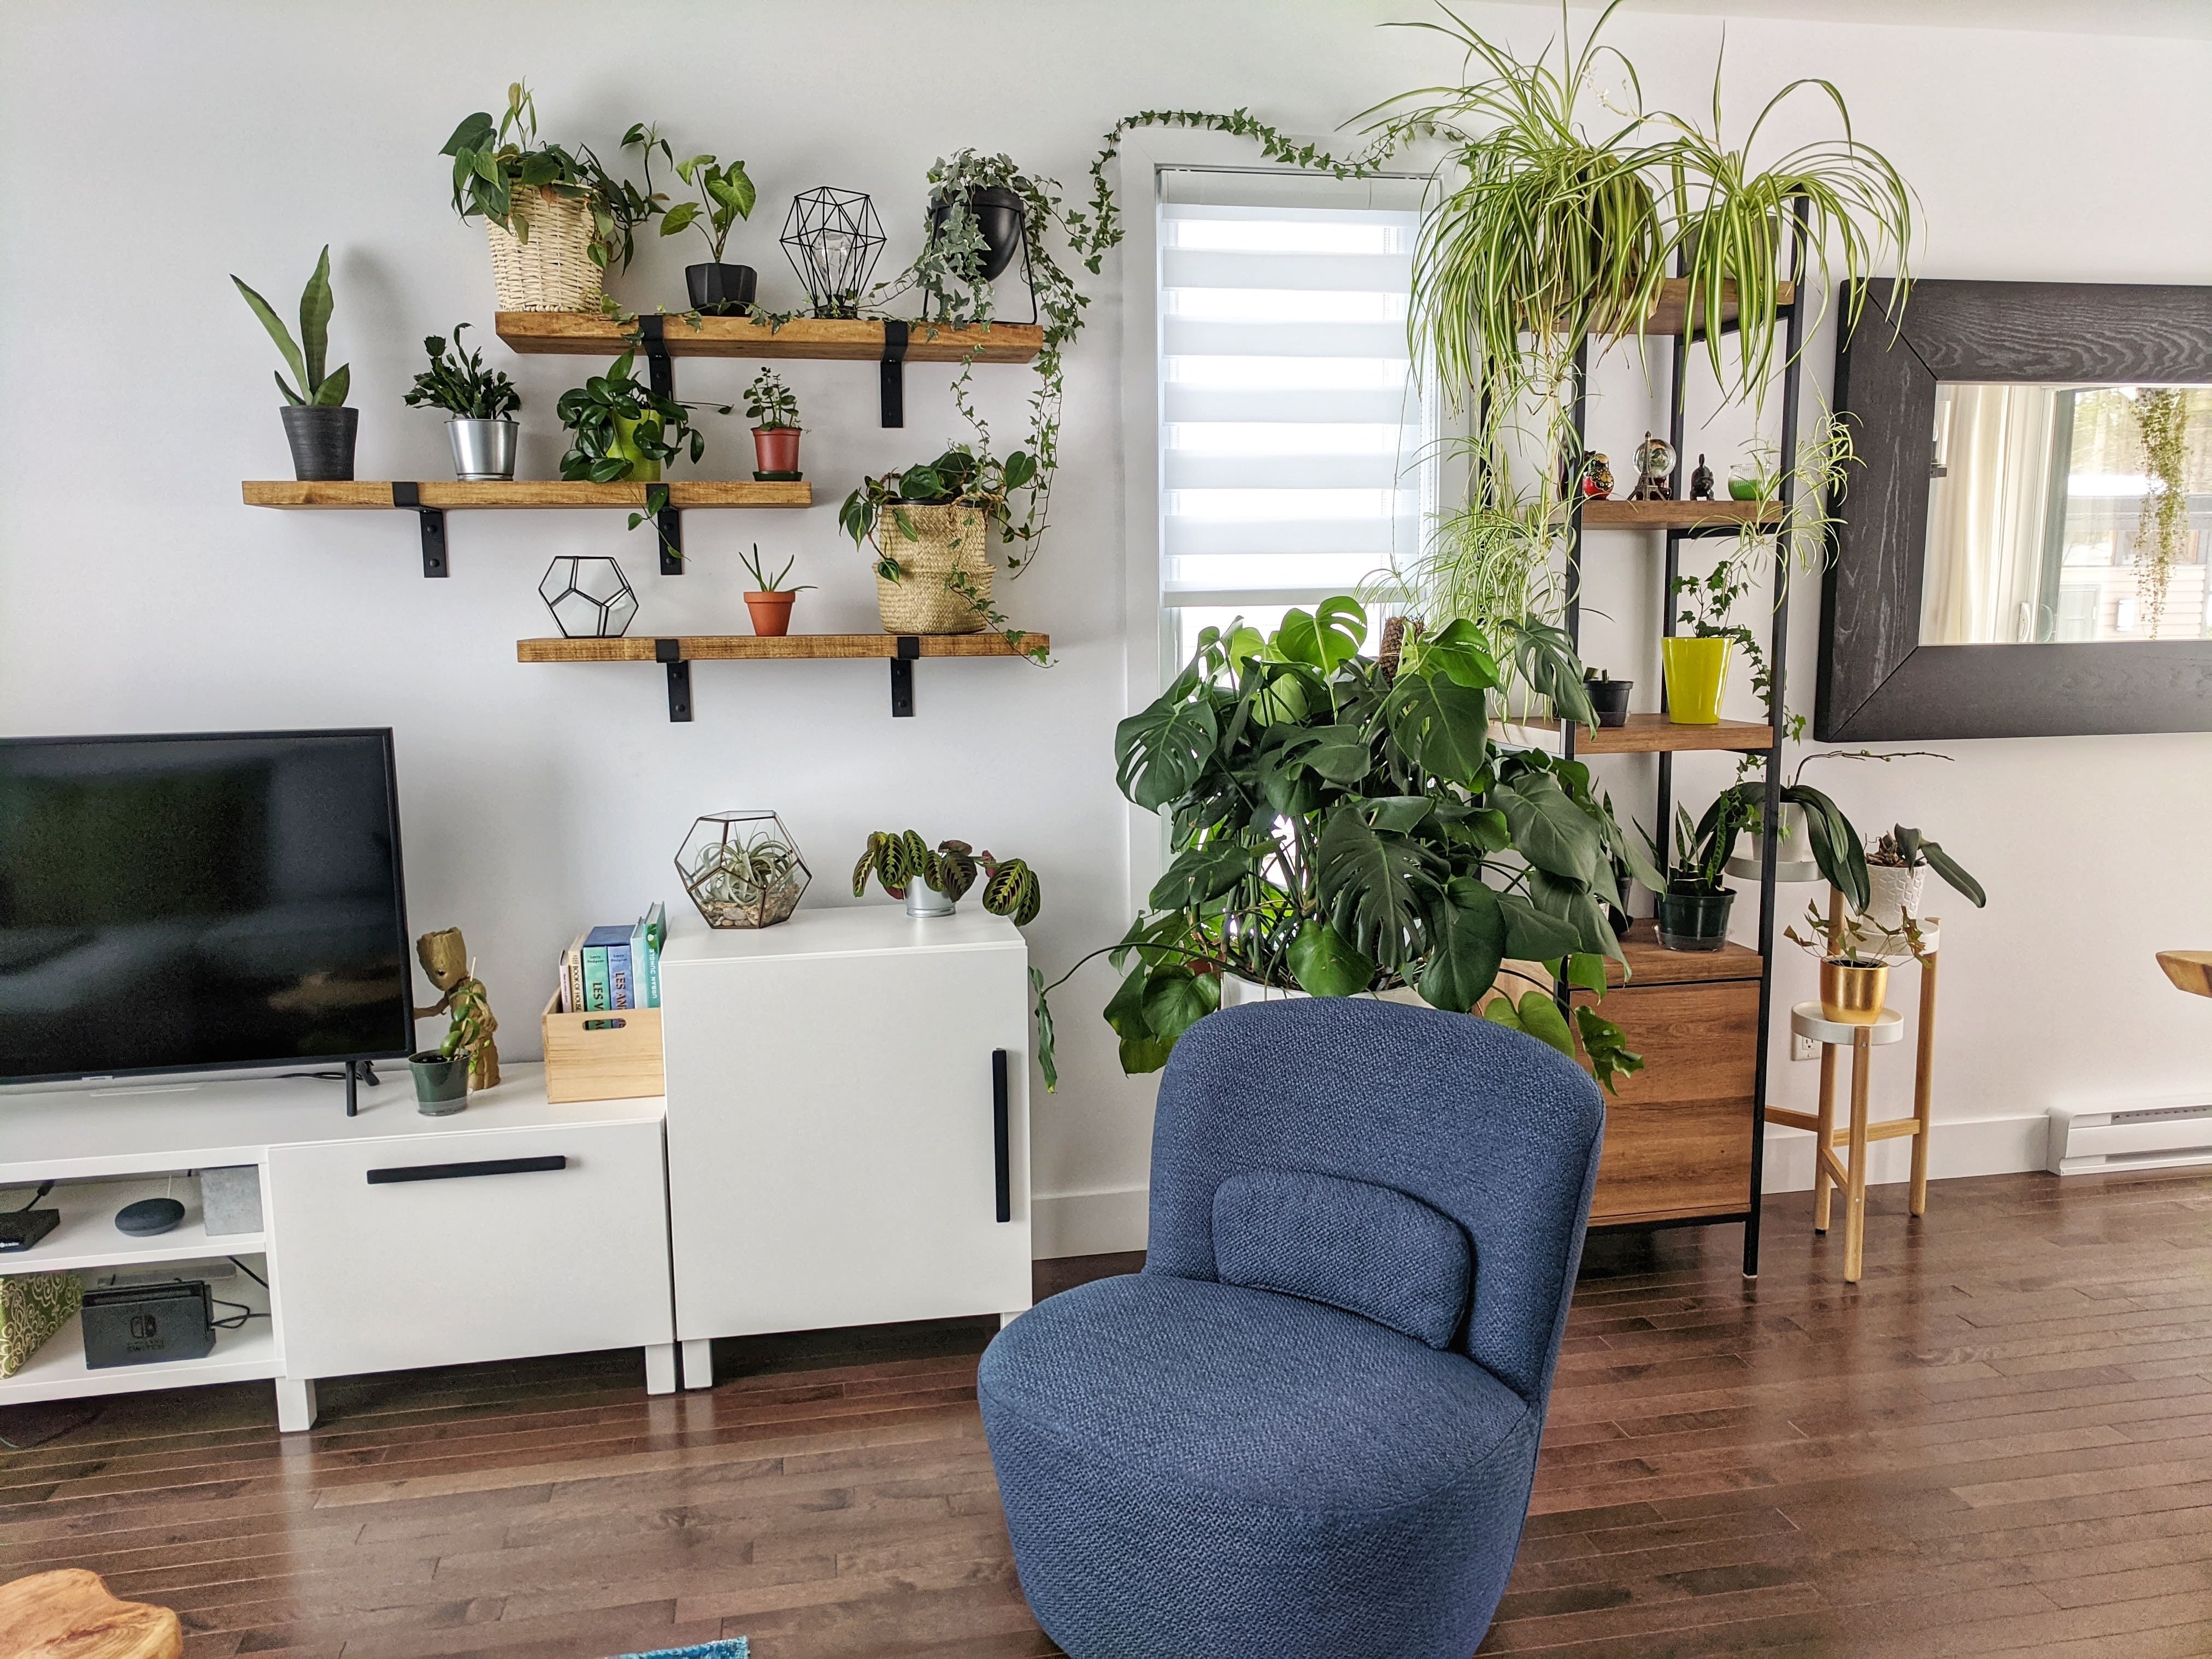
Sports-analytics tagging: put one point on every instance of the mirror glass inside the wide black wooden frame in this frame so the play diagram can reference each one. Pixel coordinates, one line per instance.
(2069, 514)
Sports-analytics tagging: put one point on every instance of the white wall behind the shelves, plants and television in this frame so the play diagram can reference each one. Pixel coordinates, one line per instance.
(152, 149)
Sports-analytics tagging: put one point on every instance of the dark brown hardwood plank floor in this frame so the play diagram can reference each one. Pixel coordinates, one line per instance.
(1999, 1443)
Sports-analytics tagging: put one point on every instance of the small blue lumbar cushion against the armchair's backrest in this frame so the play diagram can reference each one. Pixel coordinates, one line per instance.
(1366, 1249)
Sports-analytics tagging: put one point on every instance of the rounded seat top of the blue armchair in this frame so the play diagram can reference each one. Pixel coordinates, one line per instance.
(1244, 1395)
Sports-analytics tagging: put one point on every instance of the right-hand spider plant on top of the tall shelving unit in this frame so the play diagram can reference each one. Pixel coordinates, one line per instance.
(1731, 225)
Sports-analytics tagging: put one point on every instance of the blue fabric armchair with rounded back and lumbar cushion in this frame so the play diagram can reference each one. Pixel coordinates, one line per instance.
(1311, 1423)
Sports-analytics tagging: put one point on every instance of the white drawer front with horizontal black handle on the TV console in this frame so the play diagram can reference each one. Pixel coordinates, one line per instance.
(472, 1246)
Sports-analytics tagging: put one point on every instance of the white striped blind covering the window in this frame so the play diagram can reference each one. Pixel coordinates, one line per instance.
(1295, 444)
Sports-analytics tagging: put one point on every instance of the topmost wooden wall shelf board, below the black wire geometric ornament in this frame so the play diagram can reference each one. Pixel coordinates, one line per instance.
(806, 337)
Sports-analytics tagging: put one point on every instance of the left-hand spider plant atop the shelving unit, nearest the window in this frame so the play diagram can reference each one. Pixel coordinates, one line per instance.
(1554, 231)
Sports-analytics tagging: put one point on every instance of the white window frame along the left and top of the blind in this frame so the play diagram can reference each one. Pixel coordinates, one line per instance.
(1149, 636)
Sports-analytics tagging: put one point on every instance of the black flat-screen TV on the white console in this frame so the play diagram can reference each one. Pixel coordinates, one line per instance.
(200, 904)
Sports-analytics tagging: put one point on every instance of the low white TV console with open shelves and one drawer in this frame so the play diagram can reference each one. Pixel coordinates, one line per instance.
(388, 1240)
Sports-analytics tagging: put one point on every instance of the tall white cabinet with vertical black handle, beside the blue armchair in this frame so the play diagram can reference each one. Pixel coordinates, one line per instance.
(848, 1123)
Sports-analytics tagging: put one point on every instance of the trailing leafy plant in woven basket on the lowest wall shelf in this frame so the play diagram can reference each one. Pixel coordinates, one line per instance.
(928, 525)
